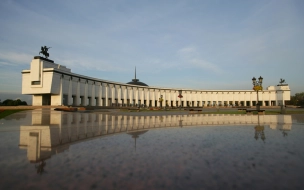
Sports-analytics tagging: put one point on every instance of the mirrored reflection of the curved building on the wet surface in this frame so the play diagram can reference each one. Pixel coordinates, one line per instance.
(52, 132)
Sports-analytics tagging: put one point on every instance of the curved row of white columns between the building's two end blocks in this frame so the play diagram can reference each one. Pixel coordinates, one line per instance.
(78, 91)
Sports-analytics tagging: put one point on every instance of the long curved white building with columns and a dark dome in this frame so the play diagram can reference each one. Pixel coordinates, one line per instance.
(53, 84)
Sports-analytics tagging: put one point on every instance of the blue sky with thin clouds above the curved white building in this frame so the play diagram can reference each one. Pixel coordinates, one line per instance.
(193, 44)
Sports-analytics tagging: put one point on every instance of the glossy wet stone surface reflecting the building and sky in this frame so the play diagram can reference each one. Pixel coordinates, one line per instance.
(46, 149)
